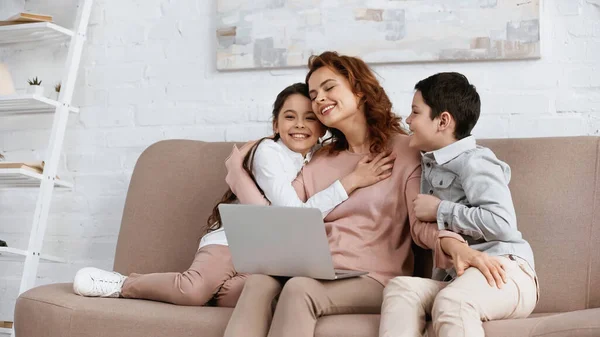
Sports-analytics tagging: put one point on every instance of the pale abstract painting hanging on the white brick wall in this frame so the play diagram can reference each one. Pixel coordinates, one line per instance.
(285, 33)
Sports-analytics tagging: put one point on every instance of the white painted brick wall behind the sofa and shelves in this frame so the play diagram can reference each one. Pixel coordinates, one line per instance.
(148, 73)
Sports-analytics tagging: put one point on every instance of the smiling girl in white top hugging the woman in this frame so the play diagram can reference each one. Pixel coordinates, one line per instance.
(275, 162)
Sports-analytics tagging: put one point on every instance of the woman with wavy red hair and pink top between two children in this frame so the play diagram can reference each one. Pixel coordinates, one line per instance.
(370, 231)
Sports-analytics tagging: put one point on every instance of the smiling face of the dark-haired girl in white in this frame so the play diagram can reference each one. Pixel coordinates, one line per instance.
(297, 125)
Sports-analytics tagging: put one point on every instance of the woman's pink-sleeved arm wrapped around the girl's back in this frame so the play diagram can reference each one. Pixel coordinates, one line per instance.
(238, 179)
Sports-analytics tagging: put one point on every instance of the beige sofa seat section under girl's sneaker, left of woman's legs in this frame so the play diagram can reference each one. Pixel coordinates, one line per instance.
(59, 312)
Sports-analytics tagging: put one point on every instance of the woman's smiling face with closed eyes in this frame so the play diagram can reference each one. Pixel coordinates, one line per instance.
(332, 98)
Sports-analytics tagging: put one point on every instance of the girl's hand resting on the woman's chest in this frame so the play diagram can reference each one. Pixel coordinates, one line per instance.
(369, 171)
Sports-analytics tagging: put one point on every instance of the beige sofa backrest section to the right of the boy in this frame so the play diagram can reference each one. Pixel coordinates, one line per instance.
(555, 189)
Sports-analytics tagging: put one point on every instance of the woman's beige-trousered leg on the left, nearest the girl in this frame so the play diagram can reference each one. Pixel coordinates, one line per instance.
(254, 311)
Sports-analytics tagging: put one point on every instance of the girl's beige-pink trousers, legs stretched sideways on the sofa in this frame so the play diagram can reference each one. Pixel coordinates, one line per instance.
(211, 276)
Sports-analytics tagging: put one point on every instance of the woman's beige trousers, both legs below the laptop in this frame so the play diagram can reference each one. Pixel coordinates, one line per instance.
(301, 302)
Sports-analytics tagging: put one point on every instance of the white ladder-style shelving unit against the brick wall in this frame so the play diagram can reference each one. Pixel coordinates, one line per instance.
(40, 34)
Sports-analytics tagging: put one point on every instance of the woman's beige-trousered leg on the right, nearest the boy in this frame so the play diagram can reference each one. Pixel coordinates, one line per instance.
(303, 300)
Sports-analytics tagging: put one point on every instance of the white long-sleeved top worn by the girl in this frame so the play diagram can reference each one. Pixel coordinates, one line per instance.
(275, 167)
